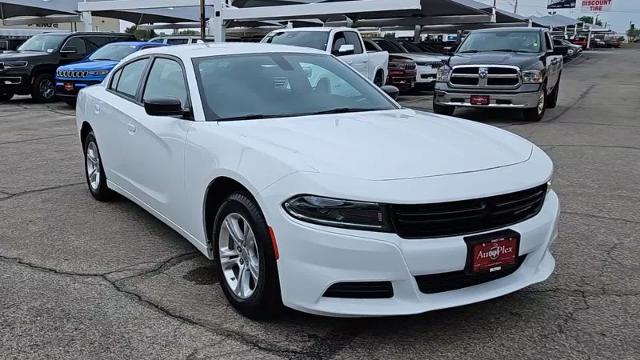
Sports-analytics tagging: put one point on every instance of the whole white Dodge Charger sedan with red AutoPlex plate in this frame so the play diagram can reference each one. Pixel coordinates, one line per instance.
(312, 188)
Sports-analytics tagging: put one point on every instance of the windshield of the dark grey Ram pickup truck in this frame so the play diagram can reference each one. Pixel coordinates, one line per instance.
(515, 41)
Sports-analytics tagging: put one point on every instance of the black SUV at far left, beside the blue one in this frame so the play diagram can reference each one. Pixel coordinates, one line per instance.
(31, 69)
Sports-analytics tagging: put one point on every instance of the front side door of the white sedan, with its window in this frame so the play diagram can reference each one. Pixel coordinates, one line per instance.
(158, 142)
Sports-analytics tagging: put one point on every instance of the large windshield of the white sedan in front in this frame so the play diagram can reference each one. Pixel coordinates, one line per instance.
(259, 86)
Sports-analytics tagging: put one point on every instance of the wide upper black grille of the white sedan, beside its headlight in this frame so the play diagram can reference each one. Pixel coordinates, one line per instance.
(466, 216)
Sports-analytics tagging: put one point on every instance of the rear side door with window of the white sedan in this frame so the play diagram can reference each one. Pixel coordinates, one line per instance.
(116, 110)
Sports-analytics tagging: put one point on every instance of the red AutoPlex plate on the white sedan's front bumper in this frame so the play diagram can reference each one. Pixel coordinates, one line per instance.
(493, 254)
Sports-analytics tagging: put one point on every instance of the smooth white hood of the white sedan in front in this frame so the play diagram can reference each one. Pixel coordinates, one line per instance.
(384, 145)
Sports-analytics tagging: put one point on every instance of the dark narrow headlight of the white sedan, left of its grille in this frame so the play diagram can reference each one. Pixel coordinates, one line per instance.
(338, 213)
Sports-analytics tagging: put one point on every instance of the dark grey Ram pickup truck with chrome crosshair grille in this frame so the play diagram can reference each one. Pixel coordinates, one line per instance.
(508, 68)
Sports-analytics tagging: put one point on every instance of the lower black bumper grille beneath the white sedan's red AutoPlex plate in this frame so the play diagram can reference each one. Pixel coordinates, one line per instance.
(436, 283)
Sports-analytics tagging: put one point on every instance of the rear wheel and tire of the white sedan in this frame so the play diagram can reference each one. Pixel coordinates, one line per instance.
(94, 170)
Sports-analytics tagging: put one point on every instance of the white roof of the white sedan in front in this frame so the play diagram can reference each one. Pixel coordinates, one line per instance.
(186, 52)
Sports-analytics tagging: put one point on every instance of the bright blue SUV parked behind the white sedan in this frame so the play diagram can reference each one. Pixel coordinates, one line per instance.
(91, 71)
